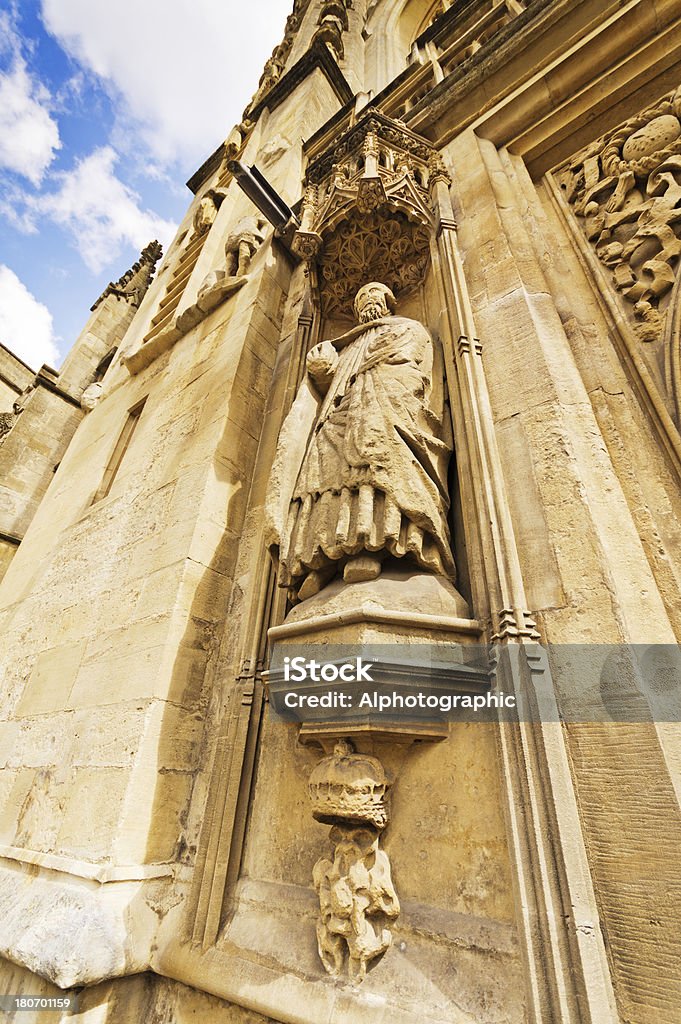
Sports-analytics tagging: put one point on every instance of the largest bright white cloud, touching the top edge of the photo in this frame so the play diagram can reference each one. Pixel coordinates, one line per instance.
(184, 71)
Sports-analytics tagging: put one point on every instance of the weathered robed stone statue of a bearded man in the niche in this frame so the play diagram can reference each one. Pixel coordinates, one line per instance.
(372, 481)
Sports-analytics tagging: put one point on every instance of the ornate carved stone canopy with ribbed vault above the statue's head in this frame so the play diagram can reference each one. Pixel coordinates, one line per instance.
(366, 212)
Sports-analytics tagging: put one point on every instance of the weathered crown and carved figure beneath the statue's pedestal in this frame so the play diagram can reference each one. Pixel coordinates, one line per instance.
(357, 897)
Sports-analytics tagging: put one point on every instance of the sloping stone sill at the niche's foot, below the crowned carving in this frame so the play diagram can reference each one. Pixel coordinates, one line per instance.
(266, 960)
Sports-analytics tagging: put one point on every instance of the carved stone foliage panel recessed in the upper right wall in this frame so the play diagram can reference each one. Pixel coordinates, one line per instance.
(626, 190)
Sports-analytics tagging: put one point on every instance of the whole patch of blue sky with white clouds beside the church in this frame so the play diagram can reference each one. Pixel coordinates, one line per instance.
(106, 110)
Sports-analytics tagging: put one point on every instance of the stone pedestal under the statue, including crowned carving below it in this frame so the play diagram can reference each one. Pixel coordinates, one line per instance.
(413, 632)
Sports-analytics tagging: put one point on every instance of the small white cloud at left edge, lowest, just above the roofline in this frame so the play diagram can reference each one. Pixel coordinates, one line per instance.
(26, 325)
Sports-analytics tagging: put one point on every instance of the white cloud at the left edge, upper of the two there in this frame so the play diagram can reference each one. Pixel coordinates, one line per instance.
(29, 136)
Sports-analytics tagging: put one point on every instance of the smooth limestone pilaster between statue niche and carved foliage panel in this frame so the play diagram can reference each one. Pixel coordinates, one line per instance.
(592, 494)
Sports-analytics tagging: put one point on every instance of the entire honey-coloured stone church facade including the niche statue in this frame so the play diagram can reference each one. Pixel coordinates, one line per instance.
(507, 173)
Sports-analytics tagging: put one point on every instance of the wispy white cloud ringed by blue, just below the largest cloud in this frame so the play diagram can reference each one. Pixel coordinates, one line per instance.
(102, 214)
